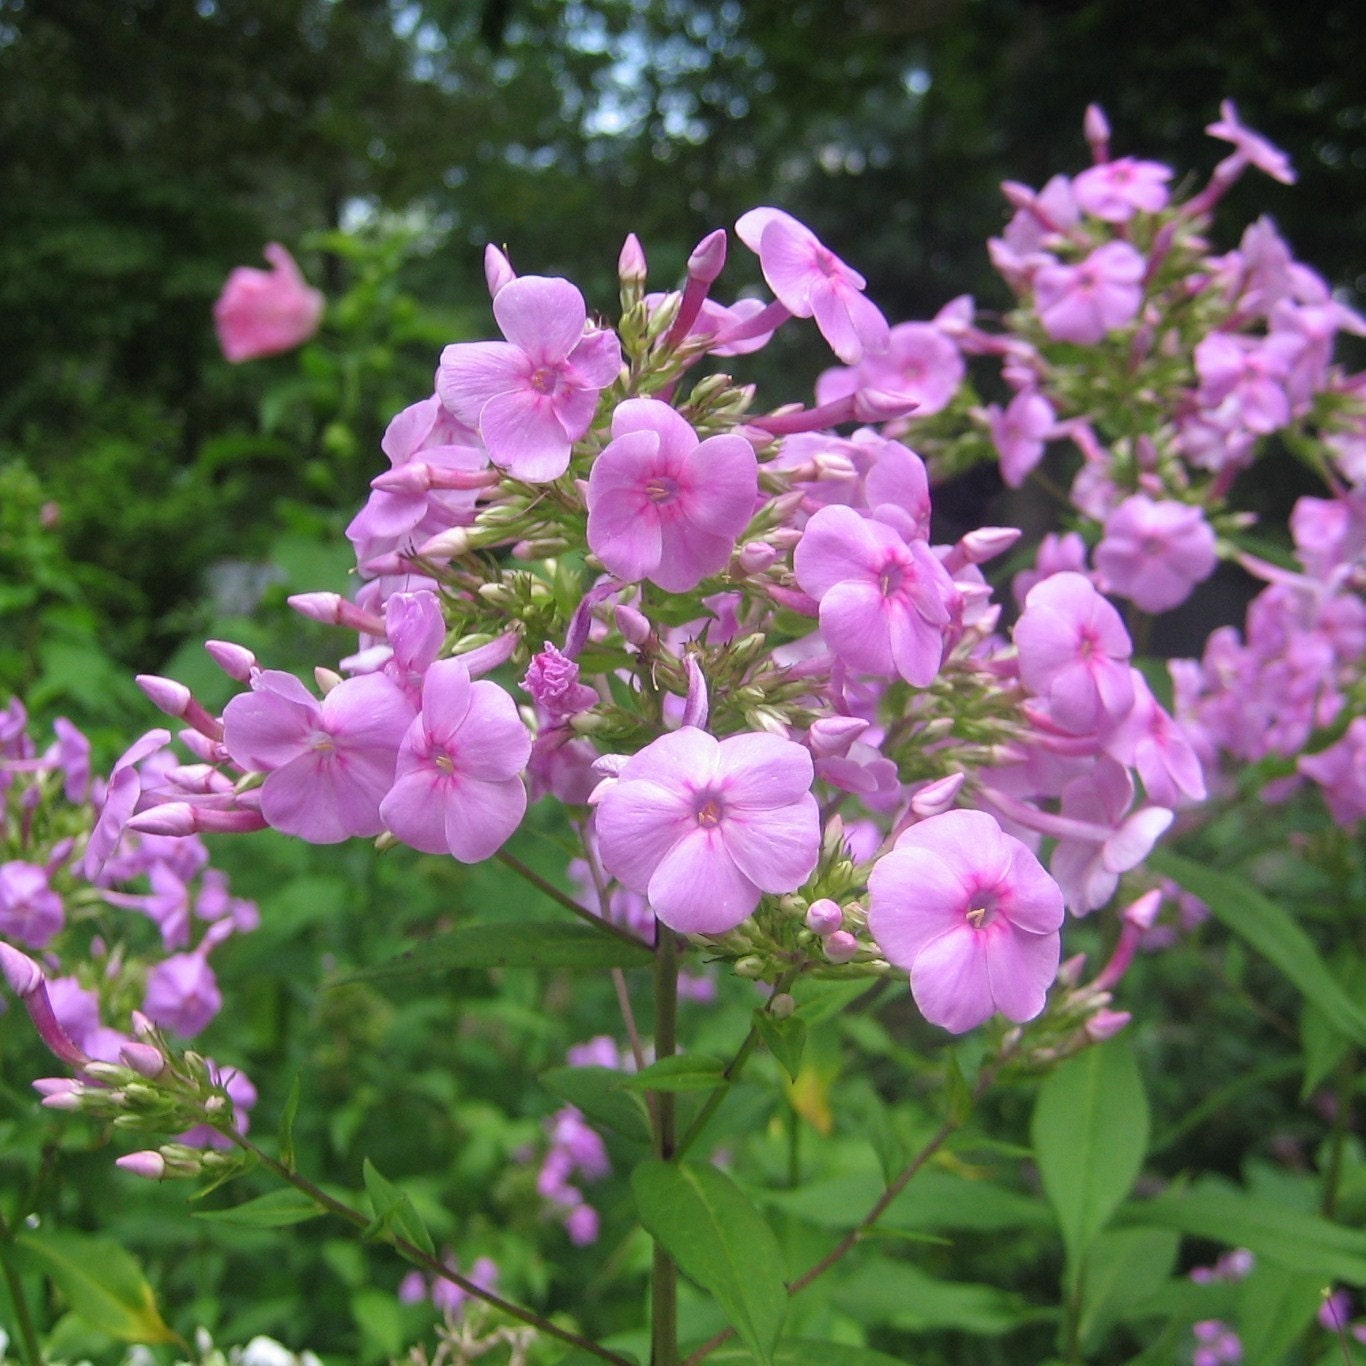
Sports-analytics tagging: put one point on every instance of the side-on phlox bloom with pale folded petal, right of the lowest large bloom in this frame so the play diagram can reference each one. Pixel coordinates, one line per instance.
(1109, 839)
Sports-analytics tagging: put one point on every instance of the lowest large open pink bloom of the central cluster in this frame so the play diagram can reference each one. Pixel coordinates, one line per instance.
(972, 916)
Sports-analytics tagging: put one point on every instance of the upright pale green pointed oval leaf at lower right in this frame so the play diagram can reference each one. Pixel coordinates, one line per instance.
(1091, 1133)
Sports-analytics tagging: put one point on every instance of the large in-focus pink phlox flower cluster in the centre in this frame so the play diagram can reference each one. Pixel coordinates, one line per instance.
(748, 673)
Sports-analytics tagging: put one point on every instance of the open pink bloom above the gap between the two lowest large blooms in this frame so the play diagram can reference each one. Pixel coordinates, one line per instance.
(886, 604)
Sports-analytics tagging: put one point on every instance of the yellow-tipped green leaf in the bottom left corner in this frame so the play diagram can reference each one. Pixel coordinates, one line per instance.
(102, 1283)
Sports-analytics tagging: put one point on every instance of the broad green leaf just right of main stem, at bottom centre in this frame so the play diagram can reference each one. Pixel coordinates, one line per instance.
(710, 1227)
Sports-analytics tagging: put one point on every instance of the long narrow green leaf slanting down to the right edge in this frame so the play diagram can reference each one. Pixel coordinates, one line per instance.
(1274, 934)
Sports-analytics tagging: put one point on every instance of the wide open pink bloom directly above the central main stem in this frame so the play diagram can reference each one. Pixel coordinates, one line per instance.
(706, 827)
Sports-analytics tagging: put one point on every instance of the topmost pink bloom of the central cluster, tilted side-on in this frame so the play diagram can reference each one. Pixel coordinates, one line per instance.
(811, 281)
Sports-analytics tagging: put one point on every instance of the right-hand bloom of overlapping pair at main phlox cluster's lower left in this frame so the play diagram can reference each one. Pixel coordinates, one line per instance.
(458, 787)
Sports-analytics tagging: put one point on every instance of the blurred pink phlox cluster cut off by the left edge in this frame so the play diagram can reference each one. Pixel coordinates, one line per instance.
(109, 932)
